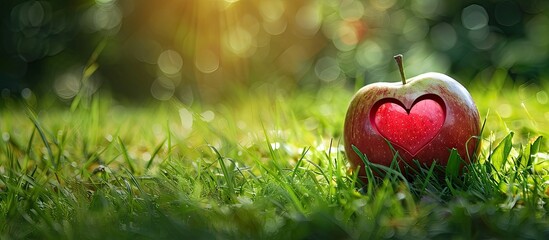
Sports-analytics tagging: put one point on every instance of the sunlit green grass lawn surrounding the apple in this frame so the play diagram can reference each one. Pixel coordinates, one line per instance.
(258, 166)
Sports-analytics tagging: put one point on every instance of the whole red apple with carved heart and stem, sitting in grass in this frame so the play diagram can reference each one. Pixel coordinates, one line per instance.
(422, 118)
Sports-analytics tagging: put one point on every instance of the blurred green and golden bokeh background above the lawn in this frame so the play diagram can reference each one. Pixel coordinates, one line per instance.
(204, 50)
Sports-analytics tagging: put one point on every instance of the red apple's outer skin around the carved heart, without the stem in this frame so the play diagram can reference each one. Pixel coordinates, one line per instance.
(459, 129)
